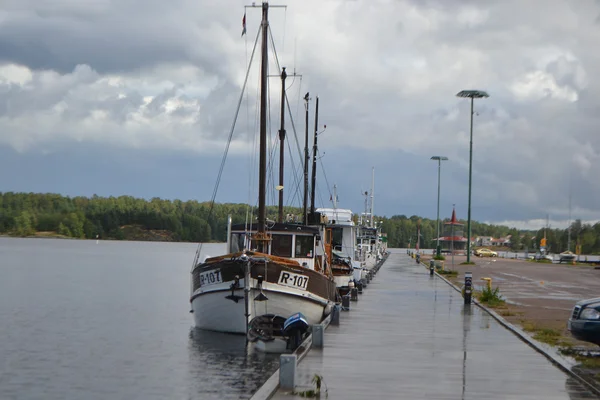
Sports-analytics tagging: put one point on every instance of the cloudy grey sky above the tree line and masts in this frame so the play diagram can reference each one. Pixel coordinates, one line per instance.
(132, 97)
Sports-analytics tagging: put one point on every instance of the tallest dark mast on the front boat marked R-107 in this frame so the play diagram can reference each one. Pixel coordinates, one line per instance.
(262, 171)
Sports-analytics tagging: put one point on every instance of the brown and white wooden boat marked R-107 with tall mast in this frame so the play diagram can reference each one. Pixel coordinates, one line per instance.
(268, 268)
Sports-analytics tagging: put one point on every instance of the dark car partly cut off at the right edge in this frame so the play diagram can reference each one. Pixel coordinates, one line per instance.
(584, 323)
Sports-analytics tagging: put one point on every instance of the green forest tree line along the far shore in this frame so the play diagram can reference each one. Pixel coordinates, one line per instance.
(25, 214)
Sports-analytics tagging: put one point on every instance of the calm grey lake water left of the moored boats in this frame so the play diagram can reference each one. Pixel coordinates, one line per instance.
(81, 320)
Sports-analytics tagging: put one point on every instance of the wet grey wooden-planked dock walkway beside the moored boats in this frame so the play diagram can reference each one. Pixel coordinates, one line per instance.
(410, 337)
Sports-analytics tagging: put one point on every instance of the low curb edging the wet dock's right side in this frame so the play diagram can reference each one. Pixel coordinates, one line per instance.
(546, 350)
